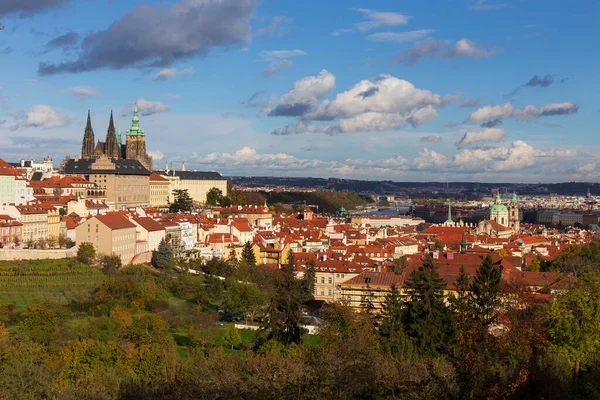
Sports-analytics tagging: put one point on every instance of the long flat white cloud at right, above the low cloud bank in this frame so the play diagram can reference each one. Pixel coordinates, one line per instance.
(507, 110)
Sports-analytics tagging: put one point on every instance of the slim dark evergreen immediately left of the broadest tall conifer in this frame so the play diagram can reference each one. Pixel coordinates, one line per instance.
(392, 333)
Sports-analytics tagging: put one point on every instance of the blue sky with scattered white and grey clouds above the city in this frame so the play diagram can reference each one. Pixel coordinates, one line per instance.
(475, 90)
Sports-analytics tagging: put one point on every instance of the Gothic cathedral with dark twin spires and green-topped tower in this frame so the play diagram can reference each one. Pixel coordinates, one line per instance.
(134, 148)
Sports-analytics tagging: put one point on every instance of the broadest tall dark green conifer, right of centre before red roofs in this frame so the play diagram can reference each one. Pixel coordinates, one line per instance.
(426, 318)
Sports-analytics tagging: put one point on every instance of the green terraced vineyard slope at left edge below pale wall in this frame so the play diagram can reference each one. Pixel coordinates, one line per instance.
(23, 282)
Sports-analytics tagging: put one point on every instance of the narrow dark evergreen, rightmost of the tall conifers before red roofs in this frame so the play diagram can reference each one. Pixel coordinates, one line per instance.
(485, 290)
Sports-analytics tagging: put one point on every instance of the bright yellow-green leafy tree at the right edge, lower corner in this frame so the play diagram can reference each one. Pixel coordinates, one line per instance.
(574, 323)
